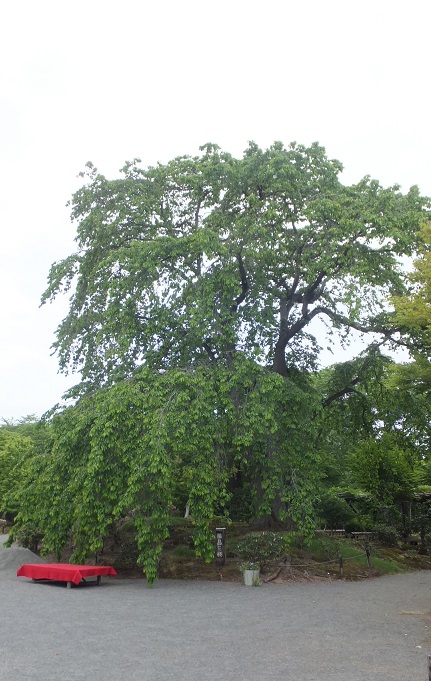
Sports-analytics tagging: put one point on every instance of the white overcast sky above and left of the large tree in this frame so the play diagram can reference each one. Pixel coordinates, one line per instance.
(107, 82)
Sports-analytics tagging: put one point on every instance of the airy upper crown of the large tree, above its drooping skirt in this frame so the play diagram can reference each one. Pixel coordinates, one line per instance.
(194, 260)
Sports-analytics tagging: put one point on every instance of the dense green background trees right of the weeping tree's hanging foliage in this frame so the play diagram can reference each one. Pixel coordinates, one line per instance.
(374, 441)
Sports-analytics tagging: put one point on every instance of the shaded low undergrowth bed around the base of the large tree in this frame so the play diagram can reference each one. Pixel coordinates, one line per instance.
(320, 559)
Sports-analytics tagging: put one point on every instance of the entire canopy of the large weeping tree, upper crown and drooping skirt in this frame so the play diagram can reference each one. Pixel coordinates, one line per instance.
(192, 292)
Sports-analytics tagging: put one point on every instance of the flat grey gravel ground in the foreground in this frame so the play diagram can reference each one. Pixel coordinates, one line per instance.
(373, 630)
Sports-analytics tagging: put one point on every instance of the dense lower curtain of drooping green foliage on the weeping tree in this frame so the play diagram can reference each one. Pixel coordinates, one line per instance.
(122, 449)
